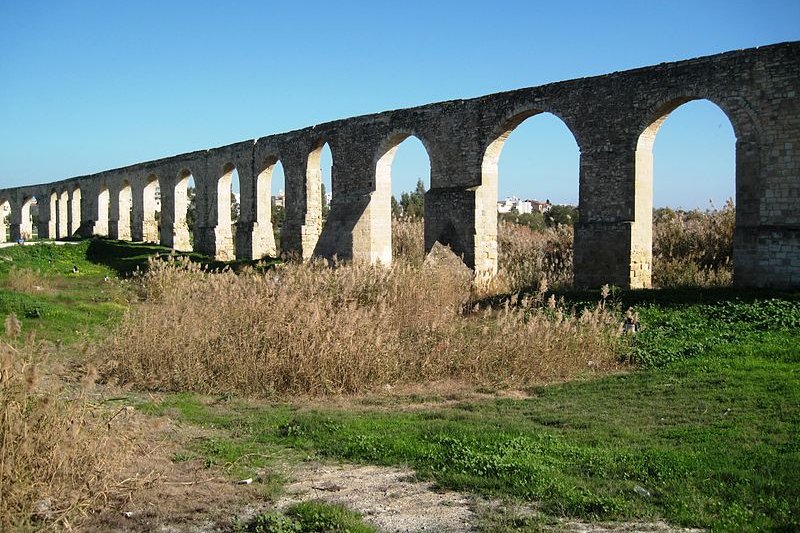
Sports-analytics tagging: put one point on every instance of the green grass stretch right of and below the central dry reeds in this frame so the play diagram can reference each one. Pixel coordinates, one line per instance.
(707, 435)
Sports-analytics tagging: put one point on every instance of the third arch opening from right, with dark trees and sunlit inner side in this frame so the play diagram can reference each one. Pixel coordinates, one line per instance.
(402, 178)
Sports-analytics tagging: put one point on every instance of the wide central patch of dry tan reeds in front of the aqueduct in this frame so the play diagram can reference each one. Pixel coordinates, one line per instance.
(314, 330)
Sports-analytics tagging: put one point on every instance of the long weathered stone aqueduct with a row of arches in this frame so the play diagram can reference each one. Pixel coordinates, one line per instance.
(613, 117)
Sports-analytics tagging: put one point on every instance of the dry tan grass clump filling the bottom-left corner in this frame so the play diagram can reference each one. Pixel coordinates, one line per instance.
(57, 458)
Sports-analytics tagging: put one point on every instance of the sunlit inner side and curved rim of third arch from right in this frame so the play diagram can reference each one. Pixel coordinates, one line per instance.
(380, 205)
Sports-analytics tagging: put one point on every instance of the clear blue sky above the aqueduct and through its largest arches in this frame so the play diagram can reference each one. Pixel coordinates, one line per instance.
(88, 85)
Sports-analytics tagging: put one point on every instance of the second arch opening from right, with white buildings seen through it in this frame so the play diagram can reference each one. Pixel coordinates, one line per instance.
(526, 220)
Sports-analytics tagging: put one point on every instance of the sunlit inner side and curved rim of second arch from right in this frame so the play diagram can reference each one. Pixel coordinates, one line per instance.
(486, 250)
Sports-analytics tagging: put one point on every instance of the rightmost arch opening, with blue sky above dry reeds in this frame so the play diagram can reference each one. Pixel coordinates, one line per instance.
(685, 205)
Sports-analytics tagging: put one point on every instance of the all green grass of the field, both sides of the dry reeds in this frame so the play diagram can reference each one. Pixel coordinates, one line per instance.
(702, 429)
